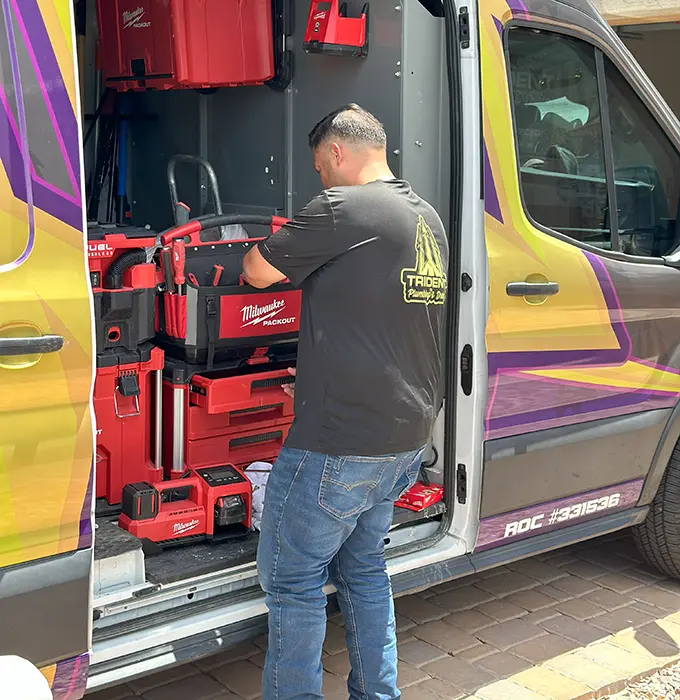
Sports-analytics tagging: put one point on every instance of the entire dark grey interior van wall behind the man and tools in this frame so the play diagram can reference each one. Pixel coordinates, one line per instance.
(256, 138)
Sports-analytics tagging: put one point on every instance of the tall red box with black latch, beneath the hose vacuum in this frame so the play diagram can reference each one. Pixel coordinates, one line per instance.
(128, 417)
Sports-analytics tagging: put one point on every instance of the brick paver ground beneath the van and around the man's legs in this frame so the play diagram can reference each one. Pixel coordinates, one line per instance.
(577, 623)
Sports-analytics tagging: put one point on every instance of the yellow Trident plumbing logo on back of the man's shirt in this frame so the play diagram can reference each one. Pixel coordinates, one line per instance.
(426, 282)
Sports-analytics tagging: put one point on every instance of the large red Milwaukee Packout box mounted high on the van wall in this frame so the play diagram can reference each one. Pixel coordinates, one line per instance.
(170, 44)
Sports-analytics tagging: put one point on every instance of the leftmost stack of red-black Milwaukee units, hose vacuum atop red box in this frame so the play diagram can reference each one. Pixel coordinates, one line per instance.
(129, 367)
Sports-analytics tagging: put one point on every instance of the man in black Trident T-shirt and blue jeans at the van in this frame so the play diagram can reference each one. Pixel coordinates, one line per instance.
(370, 258)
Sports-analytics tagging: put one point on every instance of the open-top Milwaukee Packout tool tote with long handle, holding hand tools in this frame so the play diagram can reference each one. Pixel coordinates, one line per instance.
(209, 311)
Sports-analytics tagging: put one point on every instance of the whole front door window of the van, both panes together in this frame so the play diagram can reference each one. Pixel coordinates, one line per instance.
(556, 100)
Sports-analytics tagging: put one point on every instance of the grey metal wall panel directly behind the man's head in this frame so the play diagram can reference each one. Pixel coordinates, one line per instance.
(323, 83)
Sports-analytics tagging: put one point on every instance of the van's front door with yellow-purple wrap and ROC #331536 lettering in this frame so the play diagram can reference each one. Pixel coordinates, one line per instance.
(581, 203)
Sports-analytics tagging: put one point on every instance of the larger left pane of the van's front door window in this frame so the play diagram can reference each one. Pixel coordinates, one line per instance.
(559, 134)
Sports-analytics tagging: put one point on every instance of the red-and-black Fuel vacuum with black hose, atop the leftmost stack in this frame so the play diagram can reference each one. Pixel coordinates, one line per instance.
(123, 285)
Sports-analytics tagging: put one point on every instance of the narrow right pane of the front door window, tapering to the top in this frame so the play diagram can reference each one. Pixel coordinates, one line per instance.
(646, 170)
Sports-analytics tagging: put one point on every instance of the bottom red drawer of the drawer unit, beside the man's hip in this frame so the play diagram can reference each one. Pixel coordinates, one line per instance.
(239, 448)
